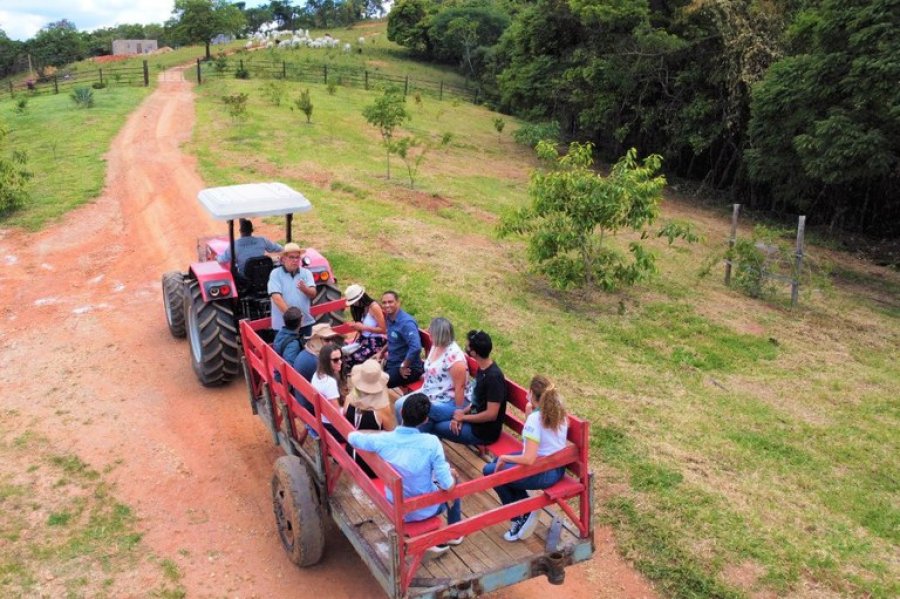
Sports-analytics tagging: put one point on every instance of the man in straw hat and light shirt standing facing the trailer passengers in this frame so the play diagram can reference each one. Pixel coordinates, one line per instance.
(292, 285)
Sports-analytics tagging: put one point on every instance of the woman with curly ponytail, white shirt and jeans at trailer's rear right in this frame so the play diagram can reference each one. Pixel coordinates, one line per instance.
(544, 433)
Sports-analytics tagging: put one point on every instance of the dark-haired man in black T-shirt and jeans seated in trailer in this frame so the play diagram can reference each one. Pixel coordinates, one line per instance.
(482, 421)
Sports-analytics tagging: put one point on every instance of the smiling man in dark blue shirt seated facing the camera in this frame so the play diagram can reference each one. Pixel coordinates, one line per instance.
(404, 348)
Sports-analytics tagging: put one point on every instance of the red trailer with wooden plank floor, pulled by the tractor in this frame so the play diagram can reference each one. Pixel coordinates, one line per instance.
(319, 479)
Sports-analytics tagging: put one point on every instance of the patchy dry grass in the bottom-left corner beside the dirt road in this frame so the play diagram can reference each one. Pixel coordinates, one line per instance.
(72, 540)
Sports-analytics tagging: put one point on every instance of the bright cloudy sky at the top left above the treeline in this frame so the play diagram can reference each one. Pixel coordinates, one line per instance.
(21, 19)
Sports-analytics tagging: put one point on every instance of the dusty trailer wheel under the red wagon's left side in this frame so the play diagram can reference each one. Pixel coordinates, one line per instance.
(298, 512)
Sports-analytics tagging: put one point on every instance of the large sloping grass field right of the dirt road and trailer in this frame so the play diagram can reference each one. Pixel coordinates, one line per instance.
(742, 449)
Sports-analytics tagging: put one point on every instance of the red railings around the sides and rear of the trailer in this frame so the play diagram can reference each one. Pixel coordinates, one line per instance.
(263, 362)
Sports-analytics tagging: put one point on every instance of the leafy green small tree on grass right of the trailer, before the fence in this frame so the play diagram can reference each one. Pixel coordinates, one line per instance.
(574, 210)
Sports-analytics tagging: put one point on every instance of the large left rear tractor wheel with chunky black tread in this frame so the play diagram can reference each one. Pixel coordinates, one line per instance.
(214, 339)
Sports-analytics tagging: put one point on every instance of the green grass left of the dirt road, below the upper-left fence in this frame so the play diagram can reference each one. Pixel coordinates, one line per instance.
(65, 147)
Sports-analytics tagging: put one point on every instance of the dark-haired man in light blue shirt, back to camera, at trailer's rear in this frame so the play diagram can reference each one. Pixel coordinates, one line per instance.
(419, 460)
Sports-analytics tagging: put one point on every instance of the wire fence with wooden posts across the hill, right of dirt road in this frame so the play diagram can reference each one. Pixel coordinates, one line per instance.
(338, 75)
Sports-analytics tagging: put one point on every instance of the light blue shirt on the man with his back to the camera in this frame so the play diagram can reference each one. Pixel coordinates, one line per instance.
(416, 456)
